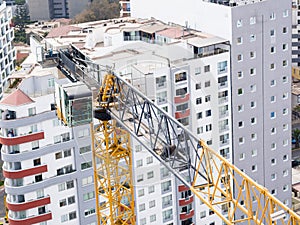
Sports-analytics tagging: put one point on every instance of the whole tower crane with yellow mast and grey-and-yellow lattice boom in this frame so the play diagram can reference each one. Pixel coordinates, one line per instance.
(124, 112)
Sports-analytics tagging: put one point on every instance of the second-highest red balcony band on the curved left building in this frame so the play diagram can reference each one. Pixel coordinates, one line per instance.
(17, 174)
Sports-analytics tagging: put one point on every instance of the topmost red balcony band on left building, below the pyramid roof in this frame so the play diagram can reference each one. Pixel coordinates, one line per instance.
(21, 139)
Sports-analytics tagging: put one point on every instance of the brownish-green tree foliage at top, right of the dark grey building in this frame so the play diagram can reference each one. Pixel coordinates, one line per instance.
(99, 10)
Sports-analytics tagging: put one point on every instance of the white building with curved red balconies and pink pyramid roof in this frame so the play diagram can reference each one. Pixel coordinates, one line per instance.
(47, 166)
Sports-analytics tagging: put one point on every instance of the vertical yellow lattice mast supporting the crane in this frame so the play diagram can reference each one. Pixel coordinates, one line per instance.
(113, 175)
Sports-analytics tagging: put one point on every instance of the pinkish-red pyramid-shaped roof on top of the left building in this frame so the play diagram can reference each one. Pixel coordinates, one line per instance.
(16, 98)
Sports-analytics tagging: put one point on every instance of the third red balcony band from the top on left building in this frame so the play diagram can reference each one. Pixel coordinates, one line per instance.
(21, 206)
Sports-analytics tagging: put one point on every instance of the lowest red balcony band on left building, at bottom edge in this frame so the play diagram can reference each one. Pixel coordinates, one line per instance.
(31, 219)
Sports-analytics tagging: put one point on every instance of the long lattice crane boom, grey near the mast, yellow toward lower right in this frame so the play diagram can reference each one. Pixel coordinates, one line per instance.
(215, 181)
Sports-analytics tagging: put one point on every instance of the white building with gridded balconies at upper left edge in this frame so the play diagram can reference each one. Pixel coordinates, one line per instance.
(7, 51)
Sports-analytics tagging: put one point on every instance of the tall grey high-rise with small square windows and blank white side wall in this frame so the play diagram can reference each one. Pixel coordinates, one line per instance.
(260, 37)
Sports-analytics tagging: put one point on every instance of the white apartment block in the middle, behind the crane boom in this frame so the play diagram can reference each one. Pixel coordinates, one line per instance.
(186, 73)
